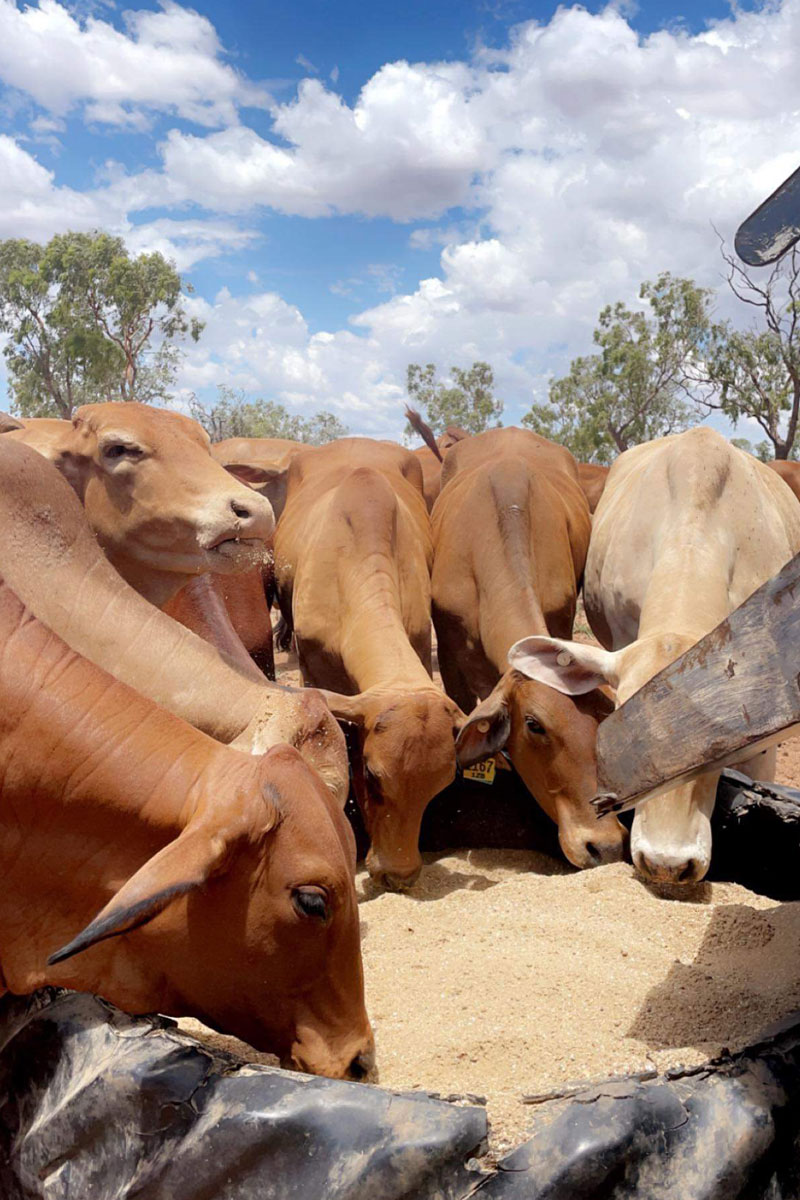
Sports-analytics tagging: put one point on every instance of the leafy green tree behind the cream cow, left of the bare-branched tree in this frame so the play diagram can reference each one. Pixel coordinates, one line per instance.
(637, 387)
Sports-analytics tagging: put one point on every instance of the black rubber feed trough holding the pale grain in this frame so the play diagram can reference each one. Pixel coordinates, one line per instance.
(98, 1106)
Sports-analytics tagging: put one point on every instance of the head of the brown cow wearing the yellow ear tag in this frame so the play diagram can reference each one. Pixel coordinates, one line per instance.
(551, 741)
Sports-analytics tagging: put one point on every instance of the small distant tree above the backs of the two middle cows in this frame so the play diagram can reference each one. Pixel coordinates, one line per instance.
(467, 400)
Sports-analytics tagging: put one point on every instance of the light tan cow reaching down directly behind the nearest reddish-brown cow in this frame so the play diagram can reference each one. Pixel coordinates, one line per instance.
(53, 563)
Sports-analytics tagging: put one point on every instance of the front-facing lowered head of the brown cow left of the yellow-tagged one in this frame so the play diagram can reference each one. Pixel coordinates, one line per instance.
(404, 754)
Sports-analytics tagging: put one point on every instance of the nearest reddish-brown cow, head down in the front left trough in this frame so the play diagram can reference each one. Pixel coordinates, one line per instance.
(166, 872)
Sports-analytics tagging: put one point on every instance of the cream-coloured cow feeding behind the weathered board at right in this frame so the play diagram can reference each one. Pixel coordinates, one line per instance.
(687, 530)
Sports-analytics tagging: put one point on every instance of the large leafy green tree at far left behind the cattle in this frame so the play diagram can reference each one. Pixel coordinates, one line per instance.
(87, 322)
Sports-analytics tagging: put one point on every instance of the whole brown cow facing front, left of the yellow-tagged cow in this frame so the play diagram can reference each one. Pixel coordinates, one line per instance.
(353, 562)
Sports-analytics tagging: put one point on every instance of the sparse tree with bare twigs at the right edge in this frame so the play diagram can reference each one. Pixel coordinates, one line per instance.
(756, 373)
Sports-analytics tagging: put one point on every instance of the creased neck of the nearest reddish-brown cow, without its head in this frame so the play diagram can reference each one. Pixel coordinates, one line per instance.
(76, 737)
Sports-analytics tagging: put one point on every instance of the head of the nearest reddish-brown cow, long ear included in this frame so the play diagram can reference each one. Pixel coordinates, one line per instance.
(248, 921)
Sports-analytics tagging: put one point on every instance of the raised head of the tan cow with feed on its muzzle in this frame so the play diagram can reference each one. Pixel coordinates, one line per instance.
(158, 502)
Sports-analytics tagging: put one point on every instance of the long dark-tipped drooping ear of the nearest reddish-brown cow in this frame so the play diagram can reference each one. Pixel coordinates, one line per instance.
(183, 866)
